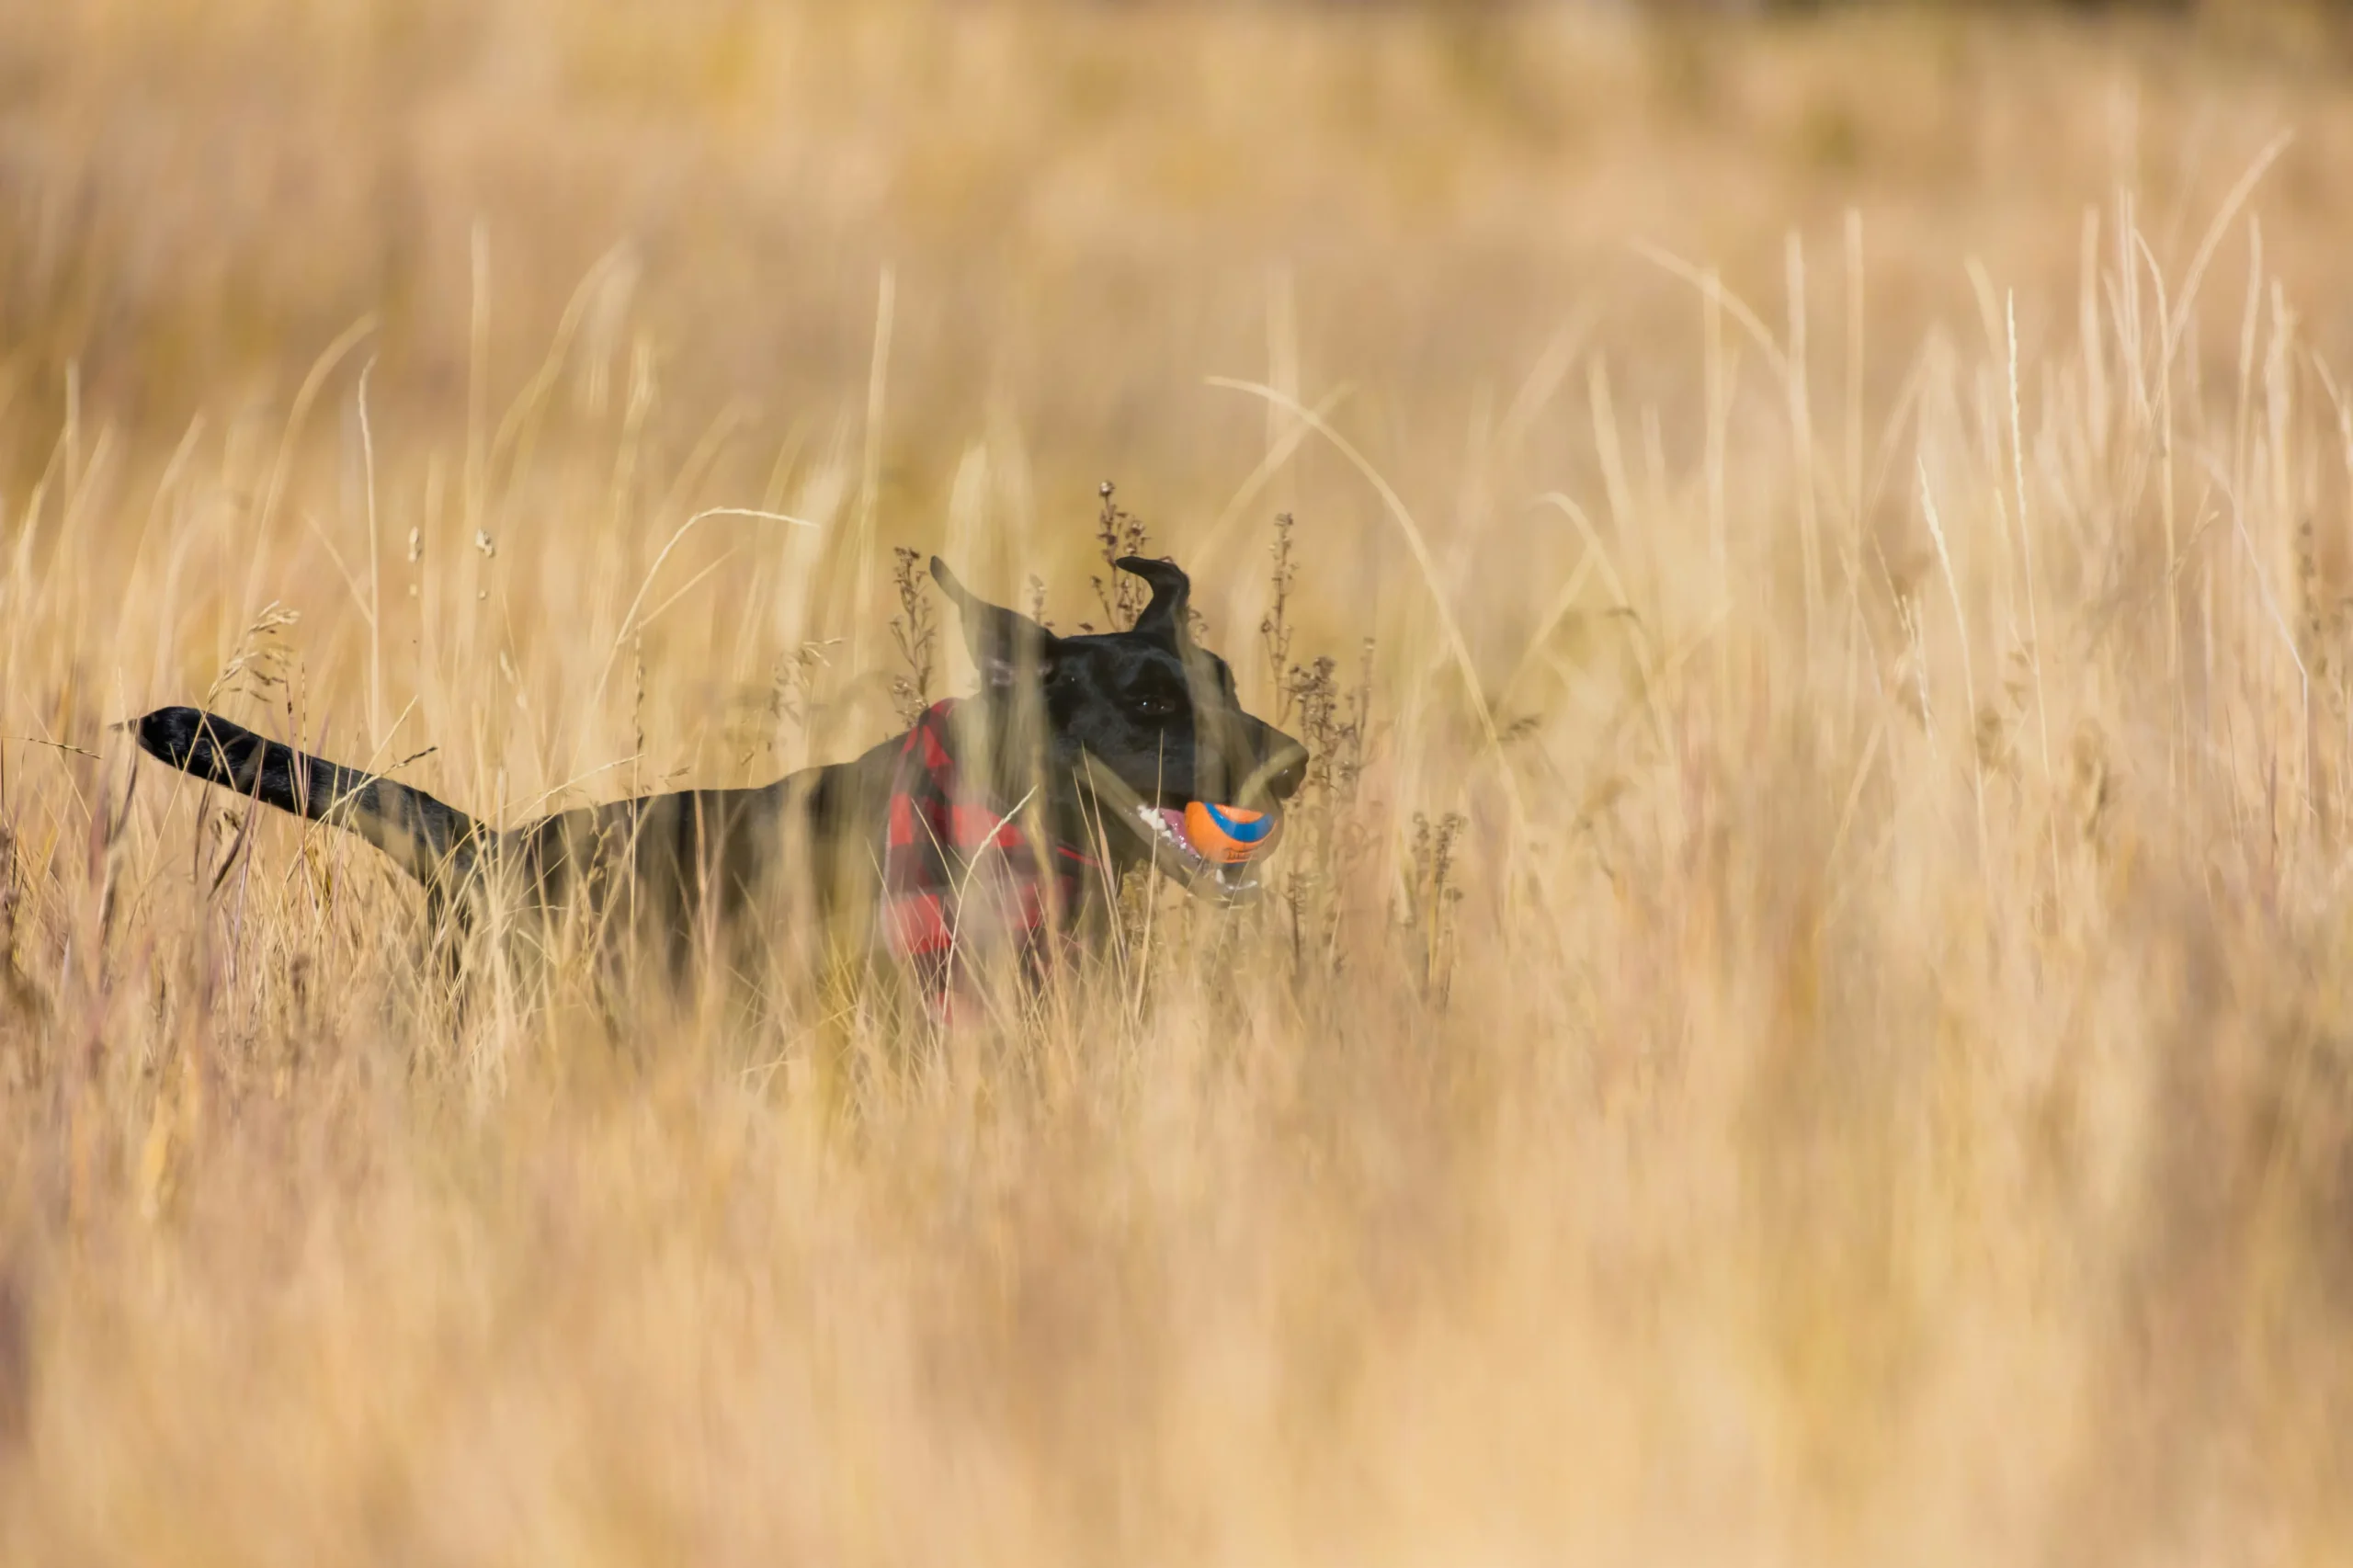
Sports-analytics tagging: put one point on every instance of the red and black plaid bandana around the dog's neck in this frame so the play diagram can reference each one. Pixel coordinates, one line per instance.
(959, 875)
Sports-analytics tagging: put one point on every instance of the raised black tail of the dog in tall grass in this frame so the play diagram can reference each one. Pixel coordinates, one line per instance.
(432, 842)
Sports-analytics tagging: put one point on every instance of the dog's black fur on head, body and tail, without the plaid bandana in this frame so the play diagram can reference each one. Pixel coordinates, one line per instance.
(1147, 707)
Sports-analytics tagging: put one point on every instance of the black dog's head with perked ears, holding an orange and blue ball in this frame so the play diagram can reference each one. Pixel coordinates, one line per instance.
(1133, 726)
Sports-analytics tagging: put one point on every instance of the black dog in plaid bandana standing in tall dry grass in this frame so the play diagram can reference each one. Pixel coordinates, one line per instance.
(1079, 755)
